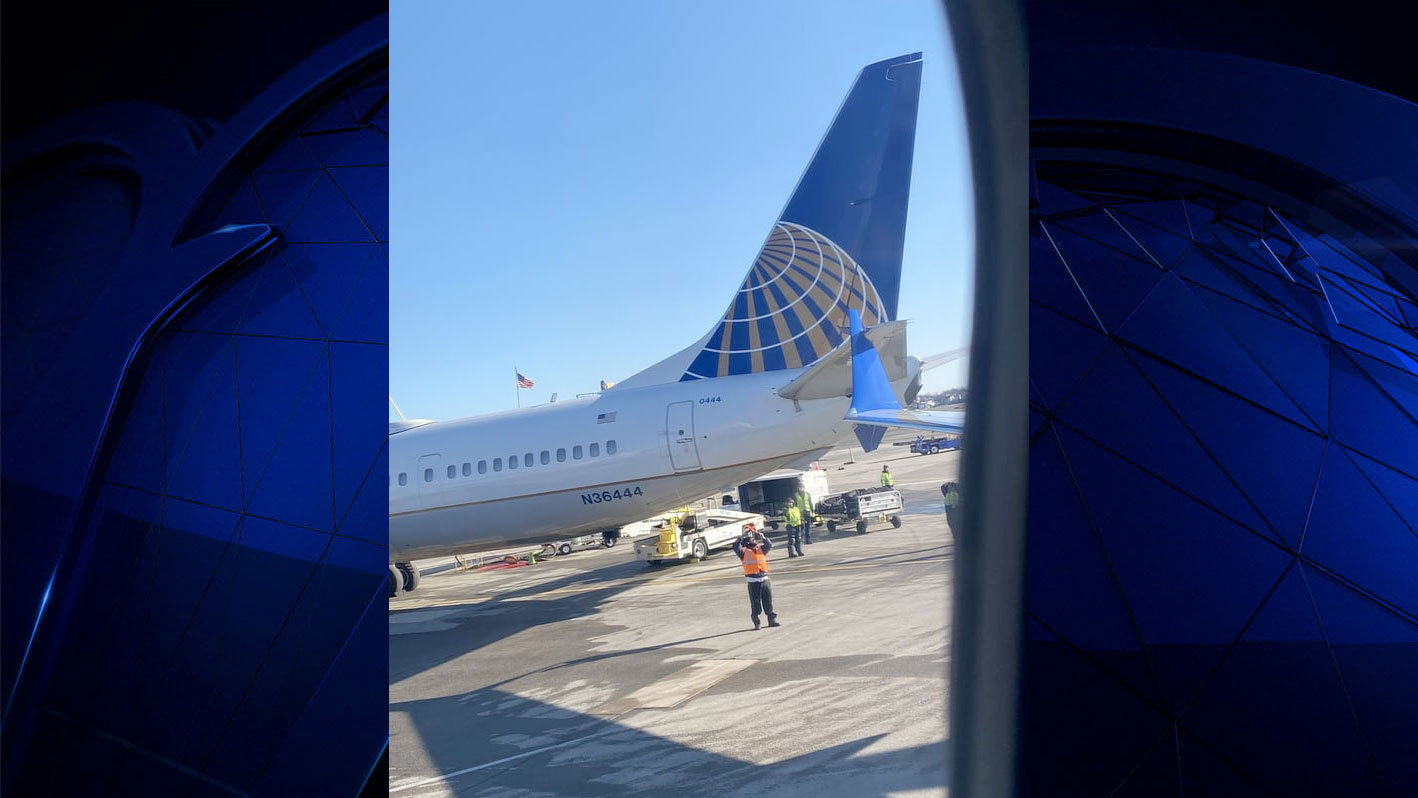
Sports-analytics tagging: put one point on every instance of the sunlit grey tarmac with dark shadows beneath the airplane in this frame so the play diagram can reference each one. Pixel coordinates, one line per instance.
(593, 674)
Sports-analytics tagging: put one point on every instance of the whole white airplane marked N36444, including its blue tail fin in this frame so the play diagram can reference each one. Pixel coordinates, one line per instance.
(656, 443)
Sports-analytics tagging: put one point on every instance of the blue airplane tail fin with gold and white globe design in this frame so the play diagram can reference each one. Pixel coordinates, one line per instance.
(836, 246)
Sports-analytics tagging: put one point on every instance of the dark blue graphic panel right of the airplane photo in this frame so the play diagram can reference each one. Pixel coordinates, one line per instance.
(1223, 538)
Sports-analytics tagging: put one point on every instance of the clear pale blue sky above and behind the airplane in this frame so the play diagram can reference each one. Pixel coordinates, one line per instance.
(549, 159)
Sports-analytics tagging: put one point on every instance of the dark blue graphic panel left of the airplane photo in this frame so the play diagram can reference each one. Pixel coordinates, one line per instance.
(195, 368)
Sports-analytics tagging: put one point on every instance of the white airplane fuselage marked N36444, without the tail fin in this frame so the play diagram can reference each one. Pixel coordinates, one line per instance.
(673, 444)
